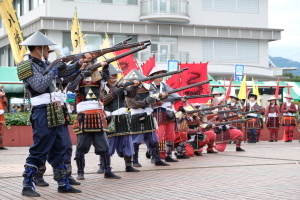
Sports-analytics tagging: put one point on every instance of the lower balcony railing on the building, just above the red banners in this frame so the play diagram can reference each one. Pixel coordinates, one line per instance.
(164, 57)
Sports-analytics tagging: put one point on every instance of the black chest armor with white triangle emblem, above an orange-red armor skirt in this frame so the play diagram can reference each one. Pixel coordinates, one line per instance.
(89, 91)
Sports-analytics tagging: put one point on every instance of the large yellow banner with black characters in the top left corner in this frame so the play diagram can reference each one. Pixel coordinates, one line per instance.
(12, 27)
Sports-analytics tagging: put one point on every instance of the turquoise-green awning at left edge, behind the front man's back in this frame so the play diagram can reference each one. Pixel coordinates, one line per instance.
(9, 75)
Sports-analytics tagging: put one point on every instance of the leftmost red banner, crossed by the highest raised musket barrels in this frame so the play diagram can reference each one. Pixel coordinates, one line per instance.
(127, 63)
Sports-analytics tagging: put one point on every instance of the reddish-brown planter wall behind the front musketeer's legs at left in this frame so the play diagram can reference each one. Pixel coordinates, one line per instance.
(21, 136)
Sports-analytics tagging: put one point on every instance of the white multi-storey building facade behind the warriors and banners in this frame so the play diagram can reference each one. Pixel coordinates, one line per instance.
(222, 32)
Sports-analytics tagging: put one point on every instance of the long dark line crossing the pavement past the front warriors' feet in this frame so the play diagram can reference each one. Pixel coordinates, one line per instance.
(165, 169)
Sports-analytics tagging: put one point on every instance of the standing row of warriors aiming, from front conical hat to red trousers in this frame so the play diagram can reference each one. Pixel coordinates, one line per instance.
(103, 118)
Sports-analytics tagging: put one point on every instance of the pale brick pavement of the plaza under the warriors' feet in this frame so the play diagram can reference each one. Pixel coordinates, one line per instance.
(264, 171)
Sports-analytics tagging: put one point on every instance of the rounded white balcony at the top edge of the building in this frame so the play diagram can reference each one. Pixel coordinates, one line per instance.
(165, 10)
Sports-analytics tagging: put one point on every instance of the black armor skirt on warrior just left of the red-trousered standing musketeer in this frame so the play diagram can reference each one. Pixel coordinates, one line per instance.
(147, 126)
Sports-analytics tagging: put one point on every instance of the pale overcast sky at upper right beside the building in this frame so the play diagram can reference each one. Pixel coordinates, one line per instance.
(285, 14)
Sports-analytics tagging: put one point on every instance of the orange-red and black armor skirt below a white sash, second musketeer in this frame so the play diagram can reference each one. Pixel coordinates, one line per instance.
(90, 121)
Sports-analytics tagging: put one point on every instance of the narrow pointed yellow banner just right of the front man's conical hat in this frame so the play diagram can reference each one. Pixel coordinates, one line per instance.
(78, 42)
